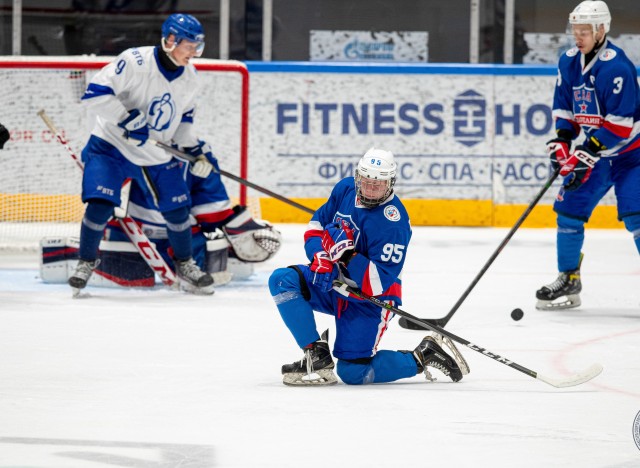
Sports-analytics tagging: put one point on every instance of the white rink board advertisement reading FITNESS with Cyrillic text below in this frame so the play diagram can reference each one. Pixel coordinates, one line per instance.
(456, 136)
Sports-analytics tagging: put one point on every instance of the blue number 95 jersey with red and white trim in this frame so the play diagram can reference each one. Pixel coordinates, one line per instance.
(381, 234)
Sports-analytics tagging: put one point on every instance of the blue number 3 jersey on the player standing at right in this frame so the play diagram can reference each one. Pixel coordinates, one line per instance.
(601, 98)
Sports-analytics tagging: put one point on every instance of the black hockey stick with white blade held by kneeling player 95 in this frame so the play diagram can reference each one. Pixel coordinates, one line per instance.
(576, 379)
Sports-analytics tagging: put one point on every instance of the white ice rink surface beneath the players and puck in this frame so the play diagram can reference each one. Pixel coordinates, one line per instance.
(162, 379)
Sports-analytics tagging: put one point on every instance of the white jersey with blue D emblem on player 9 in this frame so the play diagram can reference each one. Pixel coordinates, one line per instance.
(136, 80)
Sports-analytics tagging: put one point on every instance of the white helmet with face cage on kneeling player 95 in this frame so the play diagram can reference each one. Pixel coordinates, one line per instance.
(376, 164)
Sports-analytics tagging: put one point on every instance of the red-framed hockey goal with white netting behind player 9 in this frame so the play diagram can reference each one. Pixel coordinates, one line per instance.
(40, 184)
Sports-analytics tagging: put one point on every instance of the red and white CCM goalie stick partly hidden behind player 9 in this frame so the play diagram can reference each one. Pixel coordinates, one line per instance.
(138, 238)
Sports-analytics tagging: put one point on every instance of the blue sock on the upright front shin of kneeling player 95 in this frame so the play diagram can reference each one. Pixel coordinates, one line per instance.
(284, 284)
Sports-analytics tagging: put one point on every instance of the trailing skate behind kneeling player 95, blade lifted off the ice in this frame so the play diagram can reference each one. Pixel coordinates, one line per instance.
(429, 353)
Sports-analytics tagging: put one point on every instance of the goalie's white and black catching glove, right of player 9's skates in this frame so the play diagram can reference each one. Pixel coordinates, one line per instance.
(252, 240)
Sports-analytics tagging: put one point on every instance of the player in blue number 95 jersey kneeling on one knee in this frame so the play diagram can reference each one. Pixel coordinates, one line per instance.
(361, 235)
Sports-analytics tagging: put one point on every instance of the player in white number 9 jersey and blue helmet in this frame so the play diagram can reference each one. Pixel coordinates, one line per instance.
(145, 93)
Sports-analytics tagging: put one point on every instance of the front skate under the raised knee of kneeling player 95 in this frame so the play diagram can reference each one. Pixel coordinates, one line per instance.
(315, 368)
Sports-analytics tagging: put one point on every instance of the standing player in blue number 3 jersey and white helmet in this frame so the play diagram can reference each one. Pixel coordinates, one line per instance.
(597, 104)
